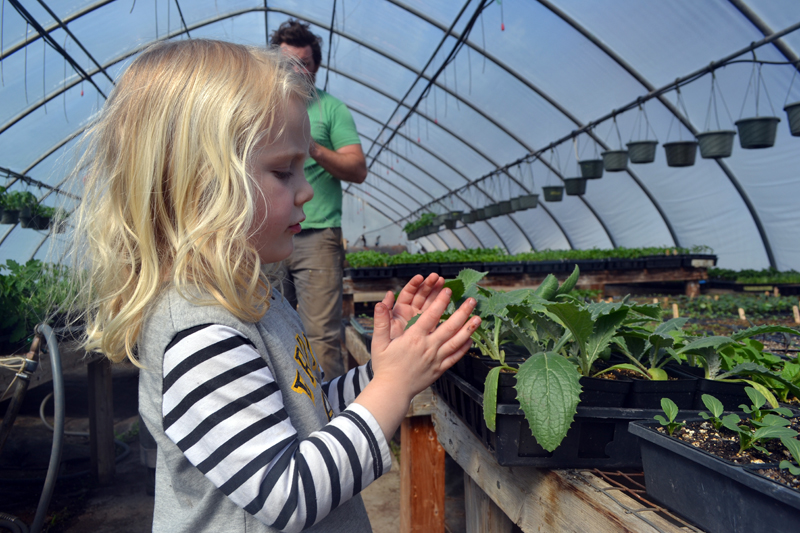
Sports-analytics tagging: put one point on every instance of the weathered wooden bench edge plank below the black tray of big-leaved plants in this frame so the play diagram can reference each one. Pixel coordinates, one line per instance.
(539, 499)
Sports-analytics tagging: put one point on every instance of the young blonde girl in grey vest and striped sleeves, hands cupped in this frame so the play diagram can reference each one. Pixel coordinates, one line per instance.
(193, 181)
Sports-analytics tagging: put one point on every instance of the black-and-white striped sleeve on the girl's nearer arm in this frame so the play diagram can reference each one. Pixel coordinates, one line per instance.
(223, 409)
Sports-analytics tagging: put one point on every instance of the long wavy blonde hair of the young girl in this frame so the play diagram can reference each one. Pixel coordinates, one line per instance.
(166, 194)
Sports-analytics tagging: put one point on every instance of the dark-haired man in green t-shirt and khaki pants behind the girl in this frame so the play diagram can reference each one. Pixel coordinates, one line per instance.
(314, 271)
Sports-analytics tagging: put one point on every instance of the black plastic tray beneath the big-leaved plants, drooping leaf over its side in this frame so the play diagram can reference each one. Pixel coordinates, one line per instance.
(598, 438)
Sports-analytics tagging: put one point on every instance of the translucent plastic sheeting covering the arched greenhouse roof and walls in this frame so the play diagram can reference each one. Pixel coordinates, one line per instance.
(457, 120)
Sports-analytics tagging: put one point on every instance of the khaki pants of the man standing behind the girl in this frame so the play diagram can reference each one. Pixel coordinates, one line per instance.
(312, 282)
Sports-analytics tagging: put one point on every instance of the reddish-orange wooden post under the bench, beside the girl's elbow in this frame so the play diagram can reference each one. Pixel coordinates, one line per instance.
(421, 477)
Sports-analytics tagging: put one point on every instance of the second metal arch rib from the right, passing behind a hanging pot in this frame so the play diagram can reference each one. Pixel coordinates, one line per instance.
(685, 121)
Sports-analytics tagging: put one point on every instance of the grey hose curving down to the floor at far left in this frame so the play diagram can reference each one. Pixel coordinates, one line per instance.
(58, 427)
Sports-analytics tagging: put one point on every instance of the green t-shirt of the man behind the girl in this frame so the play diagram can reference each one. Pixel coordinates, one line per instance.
(333, 127)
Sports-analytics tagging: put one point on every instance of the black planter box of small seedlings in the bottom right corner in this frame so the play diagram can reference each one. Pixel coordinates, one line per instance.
(716, 495)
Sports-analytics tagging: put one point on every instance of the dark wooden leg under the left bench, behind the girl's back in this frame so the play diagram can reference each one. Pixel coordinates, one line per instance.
(101, 421)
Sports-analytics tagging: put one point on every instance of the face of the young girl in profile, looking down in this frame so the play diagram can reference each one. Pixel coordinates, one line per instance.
(276, 168)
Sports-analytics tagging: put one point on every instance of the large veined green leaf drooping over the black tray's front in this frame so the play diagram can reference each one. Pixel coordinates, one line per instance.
(548, 392)
